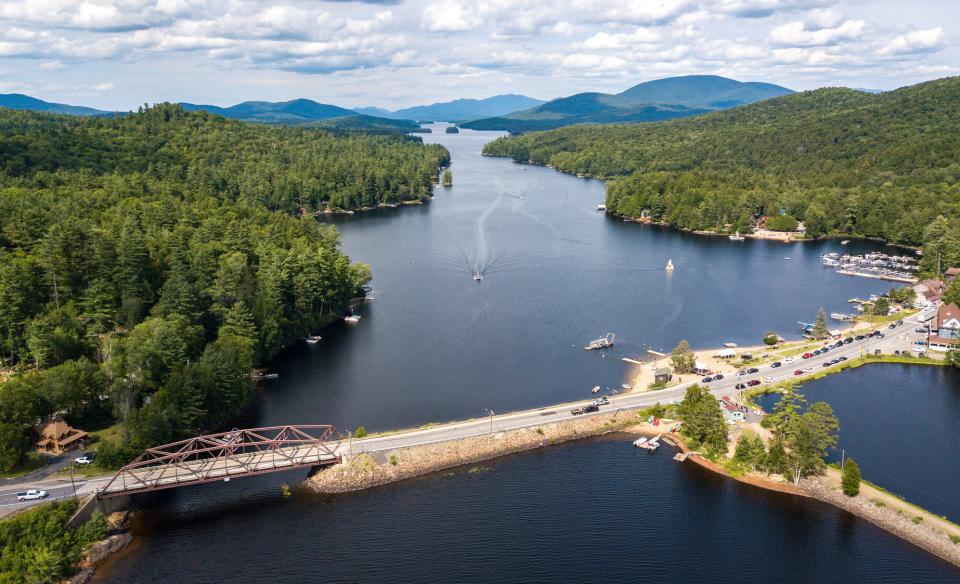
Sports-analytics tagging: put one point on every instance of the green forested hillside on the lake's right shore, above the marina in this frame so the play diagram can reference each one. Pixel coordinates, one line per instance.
(842, 161)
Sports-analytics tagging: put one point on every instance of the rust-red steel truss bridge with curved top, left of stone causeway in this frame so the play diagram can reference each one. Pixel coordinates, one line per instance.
(223, 456)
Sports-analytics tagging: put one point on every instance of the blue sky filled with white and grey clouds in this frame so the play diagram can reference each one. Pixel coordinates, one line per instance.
(119, 54)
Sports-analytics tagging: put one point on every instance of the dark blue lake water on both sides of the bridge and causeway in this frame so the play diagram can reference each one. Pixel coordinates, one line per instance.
(436, 345)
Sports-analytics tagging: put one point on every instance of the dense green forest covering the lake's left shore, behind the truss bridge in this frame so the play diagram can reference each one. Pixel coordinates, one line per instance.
(148, 262)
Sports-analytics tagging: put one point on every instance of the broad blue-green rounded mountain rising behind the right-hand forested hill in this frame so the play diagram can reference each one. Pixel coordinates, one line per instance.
(662, 99)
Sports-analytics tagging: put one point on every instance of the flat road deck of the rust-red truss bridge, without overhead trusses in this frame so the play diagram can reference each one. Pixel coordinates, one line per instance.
(152, 478)
